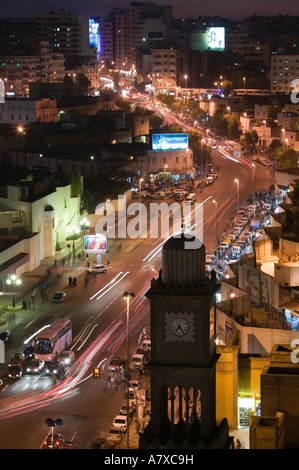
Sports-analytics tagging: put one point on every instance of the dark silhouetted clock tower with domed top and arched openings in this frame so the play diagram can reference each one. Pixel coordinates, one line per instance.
(183, 351)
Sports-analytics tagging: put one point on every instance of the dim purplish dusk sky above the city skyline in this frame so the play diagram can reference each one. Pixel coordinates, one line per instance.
(234, 9)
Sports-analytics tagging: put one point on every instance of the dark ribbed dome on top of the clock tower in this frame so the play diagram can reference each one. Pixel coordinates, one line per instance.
(183, 261)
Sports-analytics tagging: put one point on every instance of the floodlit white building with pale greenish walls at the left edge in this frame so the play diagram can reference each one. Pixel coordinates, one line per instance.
(31, 226)
